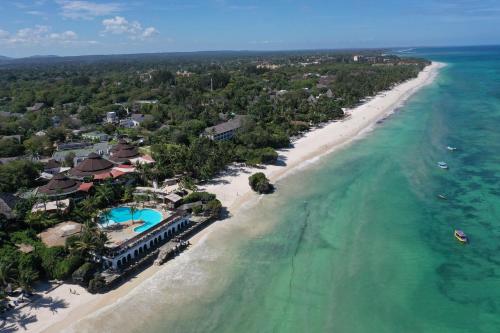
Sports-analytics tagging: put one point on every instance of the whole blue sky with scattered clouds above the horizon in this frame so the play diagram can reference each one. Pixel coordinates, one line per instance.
(81, 27)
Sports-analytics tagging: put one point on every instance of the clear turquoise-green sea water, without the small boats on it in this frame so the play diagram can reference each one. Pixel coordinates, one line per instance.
(358, 242)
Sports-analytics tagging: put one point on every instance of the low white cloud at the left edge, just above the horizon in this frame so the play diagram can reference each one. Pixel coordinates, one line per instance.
(37, 35)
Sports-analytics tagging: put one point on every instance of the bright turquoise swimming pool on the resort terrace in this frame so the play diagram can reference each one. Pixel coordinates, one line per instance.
(150, 217)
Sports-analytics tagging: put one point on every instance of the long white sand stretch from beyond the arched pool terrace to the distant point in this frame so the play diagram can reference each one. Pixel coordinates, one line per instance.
(232, 189)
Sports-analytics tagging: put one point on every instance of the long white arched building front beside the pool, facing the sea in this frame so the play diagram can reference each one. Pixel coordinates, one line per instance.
(145, 242)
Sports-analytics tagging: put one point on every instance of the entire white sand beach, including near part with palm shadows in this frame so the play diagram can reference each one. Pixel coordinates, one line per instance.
(233, 190)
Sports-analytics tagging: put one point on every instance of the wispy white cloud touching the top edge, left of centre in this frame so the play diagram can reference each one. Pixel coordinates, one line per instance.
(79, 9)
